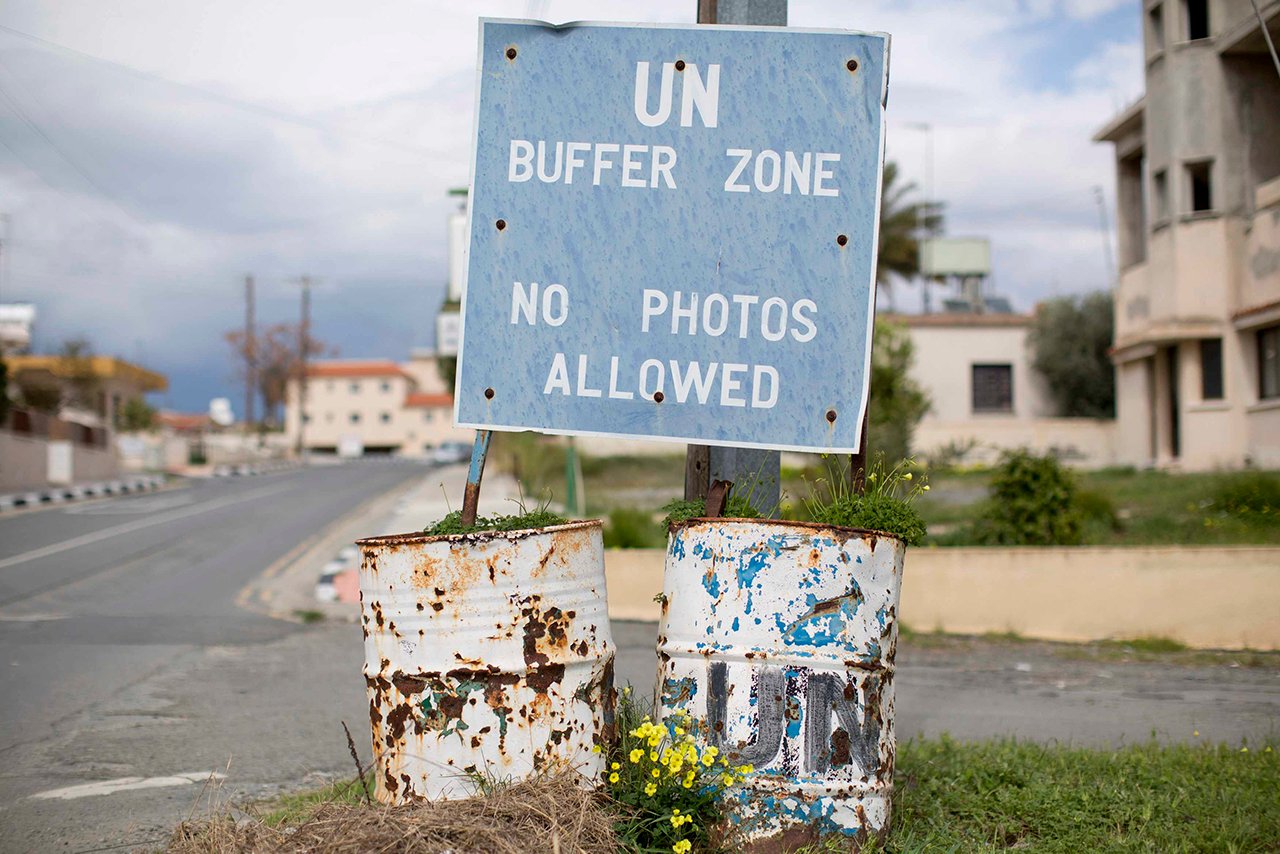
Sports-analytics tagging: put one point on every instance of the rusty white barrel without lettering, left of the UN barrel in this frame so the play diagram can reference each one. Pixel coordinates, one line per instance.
(487, 656)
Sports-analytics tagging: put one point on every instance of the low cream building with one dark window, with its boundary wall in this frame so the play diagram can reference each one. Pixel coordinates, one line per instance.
(986, 398)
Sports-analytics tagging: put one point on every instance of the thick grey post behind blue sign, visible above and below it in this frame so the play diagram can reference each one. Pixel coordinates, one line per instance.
(749, 469)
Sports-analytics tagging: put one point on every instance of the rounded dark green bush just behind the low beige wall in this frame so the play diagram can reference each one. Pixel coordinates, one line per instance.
(1034, 503)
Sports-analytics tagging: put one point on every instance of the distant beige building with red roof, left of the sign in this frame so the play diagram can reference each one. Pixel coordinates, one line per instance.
(373, 407)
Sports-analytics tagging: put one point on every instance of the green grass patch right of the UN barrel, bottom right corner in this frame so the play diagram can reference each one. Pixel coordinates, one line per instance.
(1000, 796)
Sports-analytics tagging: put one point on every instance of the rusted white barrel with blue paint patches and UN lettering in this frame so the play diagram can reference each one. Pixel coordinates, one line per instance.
(779, 640)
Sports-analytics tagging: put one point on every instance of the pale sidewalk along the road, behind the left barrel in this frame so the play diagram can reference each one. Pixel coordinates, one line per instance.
(327, 564)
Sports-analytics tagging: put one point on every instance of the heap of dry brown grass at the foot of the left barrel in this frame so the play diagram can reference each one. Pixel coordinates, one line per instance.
(548, 815)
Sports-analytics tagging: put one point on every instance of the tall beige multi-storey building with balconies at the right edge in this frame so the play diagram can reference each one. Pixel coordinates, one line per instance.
(1197, 307)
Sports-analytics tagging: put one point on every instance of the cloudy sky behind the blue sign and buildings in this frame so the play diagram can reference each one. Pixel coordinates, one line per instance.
(156, 152)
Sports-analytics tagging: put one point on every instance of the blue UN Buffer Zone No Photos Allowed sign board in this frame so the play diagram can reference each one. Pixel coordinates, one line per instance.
(674, 234)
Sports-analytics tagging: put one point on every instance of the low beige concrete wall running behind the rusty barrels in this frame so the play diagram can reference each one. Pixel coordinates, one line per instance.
(1206, 597)
